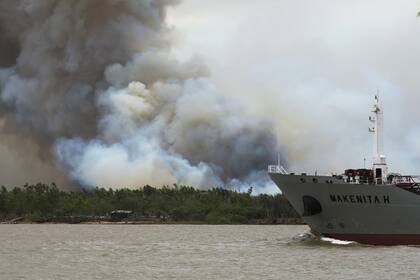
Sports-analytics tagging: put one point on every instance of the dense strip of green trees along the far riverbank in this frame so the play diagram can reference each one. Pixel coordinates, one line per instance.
(178, 204)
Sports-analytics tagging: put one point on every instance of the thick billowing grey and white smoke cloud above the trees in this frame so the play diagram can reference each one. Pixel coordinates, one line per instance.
(93, 86)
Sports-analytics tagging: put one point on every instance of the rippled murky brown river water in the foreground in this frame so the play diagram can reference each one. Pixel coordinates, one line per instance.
(192, 252)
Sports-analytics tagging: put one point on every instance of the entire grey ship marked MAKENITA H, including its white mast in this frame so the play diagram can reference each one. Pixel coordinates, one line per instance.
(365, 205)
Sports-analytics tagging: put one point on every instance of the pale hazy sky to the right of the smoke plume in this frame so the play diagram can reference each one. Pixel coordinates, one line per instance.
(312, 67)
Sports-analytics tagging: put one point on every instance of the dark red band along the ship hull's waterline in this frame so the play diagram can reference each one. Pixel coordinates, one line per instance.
(378, 239)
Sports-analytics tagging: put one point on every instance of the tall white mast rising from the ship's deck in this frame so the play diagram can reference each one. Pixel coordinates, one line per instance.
(380, 168)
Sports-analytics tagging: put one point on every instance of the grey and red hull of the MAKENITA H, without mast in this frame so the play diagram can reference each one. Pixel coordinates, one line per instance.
(368, 214)
